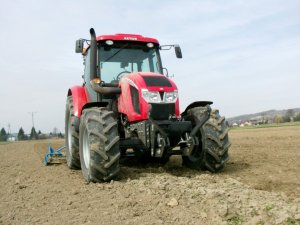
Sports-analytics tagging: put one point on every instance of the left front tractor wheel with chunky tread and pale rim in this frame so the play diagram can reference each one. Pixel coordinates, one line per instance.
(99, 145)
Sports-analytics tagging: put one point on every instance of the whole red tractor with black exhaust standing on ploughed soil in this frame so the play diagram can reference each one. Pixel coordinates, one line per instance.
(127, 106)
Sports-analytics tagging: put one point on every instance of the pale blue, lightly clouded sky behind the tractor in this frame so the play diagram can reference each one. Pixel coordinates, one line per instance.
(242, 55)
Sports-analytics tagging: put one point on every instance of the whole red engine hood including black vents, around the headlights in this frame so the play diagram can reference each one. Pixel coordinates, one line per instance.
(131, 102)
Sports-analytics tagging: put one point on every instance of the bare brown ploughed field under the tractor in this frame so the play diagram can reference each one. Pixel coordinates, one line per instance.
(260, 185)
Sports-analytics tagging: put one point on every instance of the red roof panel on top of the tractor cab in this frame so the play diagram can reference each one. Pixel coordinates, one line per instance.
(127, 37)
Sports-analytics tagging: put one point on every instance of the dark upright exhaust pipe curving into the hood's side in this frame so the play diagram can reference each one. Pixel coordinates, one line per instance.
(94, 80)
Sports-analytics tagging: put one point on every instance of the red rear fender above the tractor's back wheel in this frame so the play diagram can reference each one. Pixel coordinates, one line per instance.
(80, 98)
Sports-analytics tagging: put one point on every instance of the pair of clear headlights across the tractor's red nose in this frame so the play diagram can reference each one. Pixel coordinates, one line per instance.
(155, 97)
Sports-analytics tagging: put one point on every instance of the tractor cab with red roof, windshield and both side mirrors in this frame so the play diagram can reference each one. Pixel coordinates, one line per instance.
(121, 54)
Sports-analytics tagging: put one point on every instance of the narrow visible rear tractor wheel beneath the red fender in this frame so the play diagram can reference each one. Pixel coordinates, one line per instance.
(71, 136)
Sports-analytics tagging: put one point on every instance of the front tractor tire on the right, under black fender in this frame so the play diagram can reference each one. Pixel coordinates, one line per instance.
(212, 151)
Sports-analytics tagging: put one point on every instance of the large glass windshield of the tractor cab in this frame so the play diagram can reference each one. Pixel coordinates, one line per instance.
(120, 59)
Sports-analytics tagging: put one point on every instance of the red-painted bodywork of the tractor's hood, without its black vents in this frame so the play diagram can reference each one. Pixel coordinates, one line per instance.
(136, 80)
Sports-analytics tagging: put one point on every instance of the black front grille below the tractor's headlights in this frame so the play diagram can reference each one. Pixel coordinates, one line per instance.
(162, 111)
